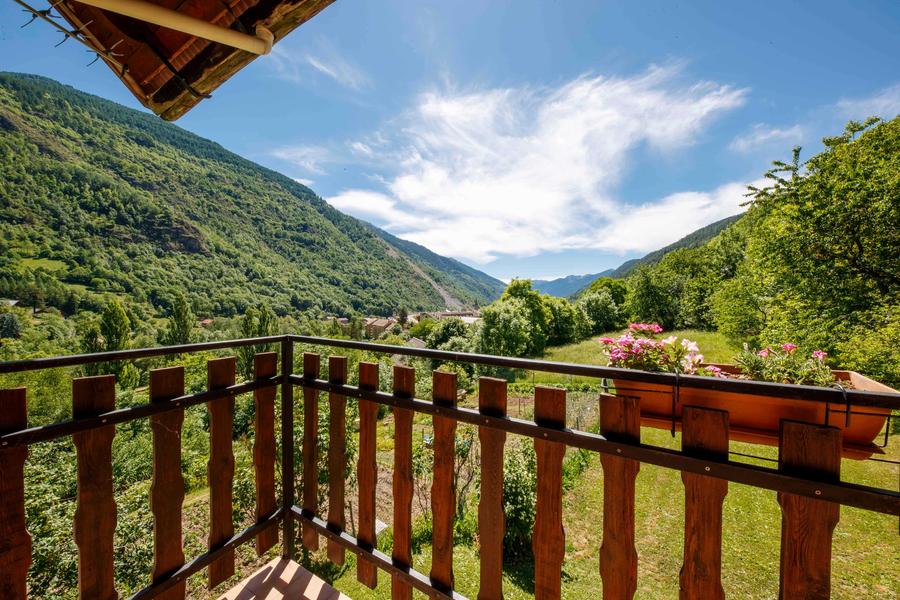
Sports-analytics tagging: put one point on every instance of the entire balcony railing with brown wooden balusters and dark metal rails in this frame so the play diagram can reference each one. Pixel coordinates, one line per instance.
(807, 478)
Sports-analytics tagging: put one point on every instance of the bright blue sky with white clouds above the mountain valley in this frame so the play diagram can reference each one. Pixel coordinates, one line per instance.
(534, 138)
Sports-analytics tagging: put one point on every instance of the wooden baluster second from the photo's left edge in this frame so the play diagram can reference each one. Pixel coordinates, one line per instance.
(95, 515)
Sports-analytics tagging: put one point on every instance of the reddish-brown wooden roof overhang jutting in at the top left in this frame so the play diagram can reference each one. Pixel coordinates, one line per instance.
(170, 71)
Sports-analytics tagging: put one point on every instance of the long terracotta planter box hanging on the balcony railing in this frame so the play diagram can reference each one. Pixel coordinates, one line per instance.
(757, 419)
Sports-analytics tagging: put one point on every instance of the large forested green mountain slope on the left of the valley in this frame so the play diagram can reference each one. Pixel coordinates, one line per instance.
(99, 199)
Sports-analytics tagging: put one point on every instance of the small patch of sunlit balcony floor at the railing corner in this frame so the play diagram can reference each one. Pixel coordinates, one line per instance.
(283, 578)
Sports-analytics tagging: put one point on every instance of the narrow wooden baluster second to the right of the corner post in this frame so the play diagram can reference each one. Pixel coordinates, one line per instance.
(337, 456)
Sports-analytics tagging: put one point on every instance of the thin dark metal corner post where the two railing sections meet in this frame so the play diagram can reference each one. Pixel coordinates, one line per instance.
(287, 447)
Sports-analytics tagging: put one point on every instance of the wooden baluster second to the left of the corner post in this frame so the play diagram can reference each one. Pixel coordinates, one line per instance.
(220, 470)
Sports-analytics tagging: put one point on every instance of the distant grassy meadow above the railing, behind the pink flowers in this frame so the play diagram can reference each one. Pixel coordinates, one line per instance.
(714, 346)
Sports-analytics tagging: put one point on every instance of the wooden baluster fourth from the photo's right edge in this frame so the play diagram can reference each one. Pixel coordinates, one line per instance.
(549, 538)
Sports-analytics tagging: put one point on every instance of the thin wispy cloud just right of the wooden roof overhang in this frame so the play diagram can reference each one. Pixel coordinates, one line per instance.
(298, 66)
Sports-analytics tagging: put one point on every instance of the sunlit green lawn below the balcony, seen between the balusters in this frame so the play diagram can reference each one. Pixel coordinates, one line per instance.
(866, 561)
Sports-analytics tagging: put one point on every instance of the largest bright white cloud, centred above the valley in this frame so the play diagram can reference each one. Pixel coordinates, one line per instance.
(521, 171)
